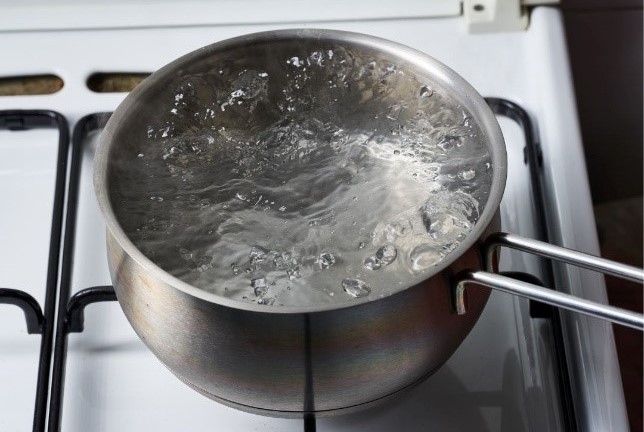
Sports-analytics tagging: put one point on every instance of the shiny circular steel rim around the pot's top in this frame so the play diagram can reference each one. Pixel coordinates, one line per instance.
(462, 91)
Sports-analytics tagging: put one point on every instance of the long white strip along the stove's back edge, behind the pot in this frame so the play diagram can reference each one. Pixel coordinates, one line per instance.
(79, 14)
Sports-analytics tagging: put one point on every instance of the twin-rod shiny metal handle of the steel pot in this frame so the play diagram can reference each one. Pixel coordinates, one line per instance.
(506, 284)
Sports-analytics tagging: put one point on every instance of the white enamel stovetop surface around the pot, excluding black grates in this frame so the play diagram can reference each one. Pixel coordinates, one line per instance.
(500, 378)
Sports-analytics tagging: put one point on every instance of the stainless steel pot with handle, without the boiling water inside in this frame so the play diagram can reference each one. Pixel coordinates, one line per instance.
(284, 361)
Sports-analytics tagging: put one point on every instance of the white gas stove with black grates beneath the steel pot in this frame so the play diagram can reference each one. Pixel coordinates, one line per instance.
(70, 361)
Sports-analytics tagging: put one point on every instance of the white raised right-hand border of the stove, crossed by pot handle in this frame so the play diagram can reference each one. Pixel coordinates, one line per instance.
(590, 342)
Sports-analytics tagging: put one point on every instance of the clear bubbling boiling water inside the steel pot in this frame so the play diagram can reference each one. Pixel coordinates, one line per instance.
(333, 178)
